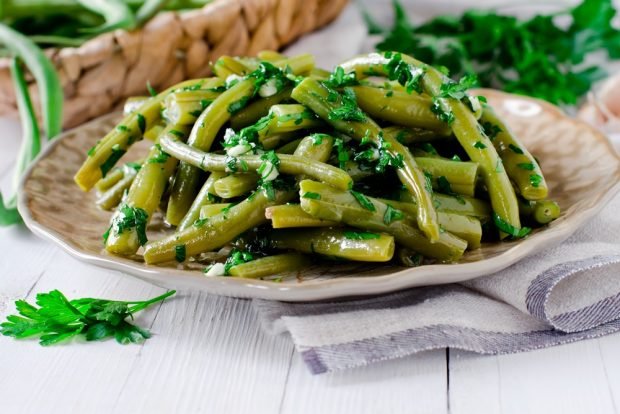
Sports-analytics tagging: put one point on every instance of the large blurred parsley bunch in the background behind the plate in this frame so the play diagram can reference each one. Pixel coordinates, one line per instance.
(537, 57)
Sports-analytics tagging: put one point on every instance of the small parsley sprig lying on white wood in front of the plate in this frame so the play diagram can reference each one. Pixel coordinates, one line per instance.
(58, 319)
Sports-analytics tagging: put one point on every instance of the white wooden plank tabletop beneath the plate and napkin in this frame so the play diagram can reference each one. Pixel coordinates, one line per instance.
(208, 354)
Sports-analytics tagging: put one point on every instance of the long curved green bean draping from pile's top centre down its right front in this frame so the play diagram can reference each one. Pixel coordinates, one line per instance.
(314, 95)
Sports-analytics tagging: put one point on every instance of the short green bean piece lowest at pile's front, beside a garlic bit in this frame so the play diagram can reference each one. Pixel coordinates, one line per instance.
(270, 265)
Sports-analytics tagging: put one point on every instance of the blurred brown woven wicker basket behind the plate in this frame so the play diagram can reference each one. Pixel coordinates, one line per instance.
(100, 74)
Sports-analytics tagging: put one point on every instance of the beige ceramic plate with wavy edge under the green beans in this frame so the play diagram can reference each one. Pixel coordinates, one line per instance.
(581, 167)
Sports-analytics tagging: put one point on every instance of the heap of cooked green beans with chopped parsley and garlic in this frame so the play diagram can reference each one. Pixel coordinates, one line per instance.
(285, 165)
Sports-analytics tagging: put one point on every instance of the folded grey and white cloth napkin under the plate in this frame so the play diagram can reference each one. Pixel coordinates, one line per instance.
(560, 295)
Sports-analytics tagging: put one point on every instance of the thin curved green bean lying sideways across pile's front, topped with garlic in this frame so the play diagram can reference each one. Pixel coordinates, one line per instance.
(289, 164)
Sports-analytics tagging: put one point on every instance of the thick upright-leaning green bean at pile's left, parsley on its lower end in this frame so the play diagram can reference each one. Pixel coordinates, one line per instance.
(144, 196)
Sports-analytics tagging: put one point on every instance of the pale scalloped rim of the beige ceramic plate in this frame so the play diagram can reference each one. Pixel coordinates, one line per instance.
(337, 287)
